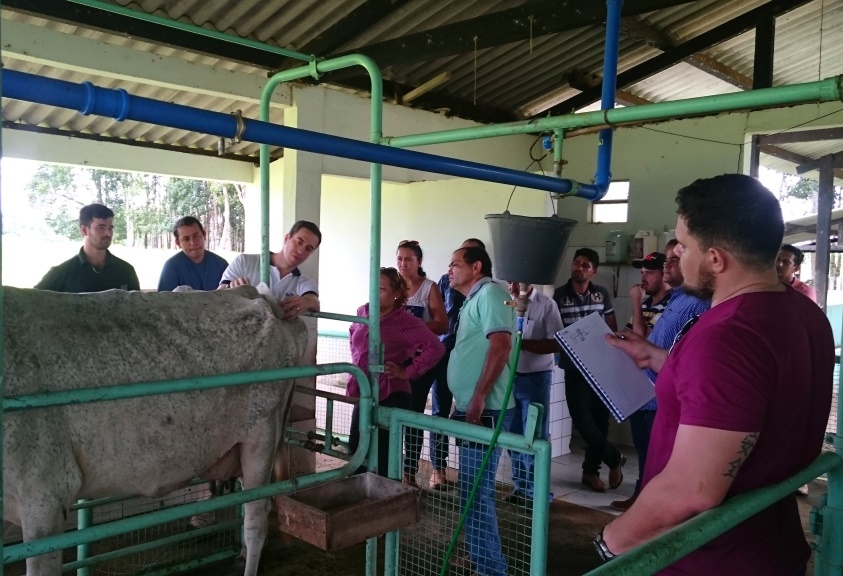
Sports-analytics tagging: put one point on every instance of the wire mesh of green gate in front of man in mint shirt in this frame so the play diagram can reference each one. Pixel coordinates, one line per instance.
(497, 535)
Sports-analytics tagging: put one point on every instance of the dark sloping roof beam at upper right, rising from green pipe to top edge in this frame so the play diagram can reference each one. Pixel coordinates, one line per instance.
(704, 41)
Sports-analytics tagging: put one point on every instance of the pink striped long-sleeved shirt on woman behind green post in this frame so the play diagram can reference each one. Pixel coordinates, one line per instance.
(402, 335)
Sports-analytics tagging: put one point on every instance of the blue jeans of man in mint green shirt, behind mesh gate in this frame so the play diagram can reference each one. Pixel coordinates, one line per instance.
(481, 525)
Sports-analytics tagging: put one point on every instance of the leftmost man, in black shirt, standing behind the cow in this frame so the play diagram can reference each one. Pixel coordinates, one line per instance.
(94, 268)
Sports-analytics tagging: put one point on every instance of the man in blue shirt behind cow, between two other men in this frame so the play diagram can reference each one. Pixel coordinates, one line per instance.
(194, 266)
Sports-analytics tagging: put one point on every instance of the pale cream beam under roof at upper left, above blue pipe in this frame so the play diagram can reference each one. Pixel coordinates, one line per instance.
(43, 46)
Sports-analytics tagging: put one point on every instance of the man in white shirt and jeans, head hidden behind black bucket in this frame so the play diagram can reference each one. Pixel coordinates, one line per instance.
(532, 381)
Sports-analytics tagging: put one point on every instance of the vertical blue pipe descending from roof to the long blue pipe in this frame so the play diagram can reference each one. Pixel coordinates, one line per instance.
(603, 176)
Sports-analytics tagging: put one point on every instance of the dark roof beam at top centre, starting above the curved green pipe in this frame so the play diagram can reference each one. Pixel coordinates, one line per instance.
(530, 20)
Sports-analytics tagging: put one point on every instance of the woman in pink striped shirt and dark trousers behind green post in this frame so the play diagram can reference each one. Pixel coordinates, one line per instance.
(410, 350)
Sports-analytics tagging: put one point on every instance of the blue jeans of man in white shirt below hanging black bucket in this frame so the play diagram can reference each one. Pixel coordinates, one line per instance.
(531, 387)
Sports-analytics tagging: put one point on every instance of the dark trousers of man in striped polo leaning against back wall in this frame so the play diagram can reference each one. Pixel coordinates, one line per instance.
(591, 418)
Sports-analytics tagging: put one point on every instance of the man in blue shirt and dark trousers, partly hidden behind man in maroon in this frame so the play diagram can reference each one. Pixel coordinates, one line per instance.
(681, 308)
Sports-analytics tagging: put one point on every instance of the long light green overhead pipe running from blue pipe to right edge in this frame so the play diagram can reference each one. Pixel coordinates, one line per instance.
(828, 90)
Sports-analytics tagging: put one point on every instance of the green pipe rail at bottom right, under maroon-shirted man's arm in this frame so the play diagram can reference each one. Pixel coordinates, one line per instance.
(687, 537)
